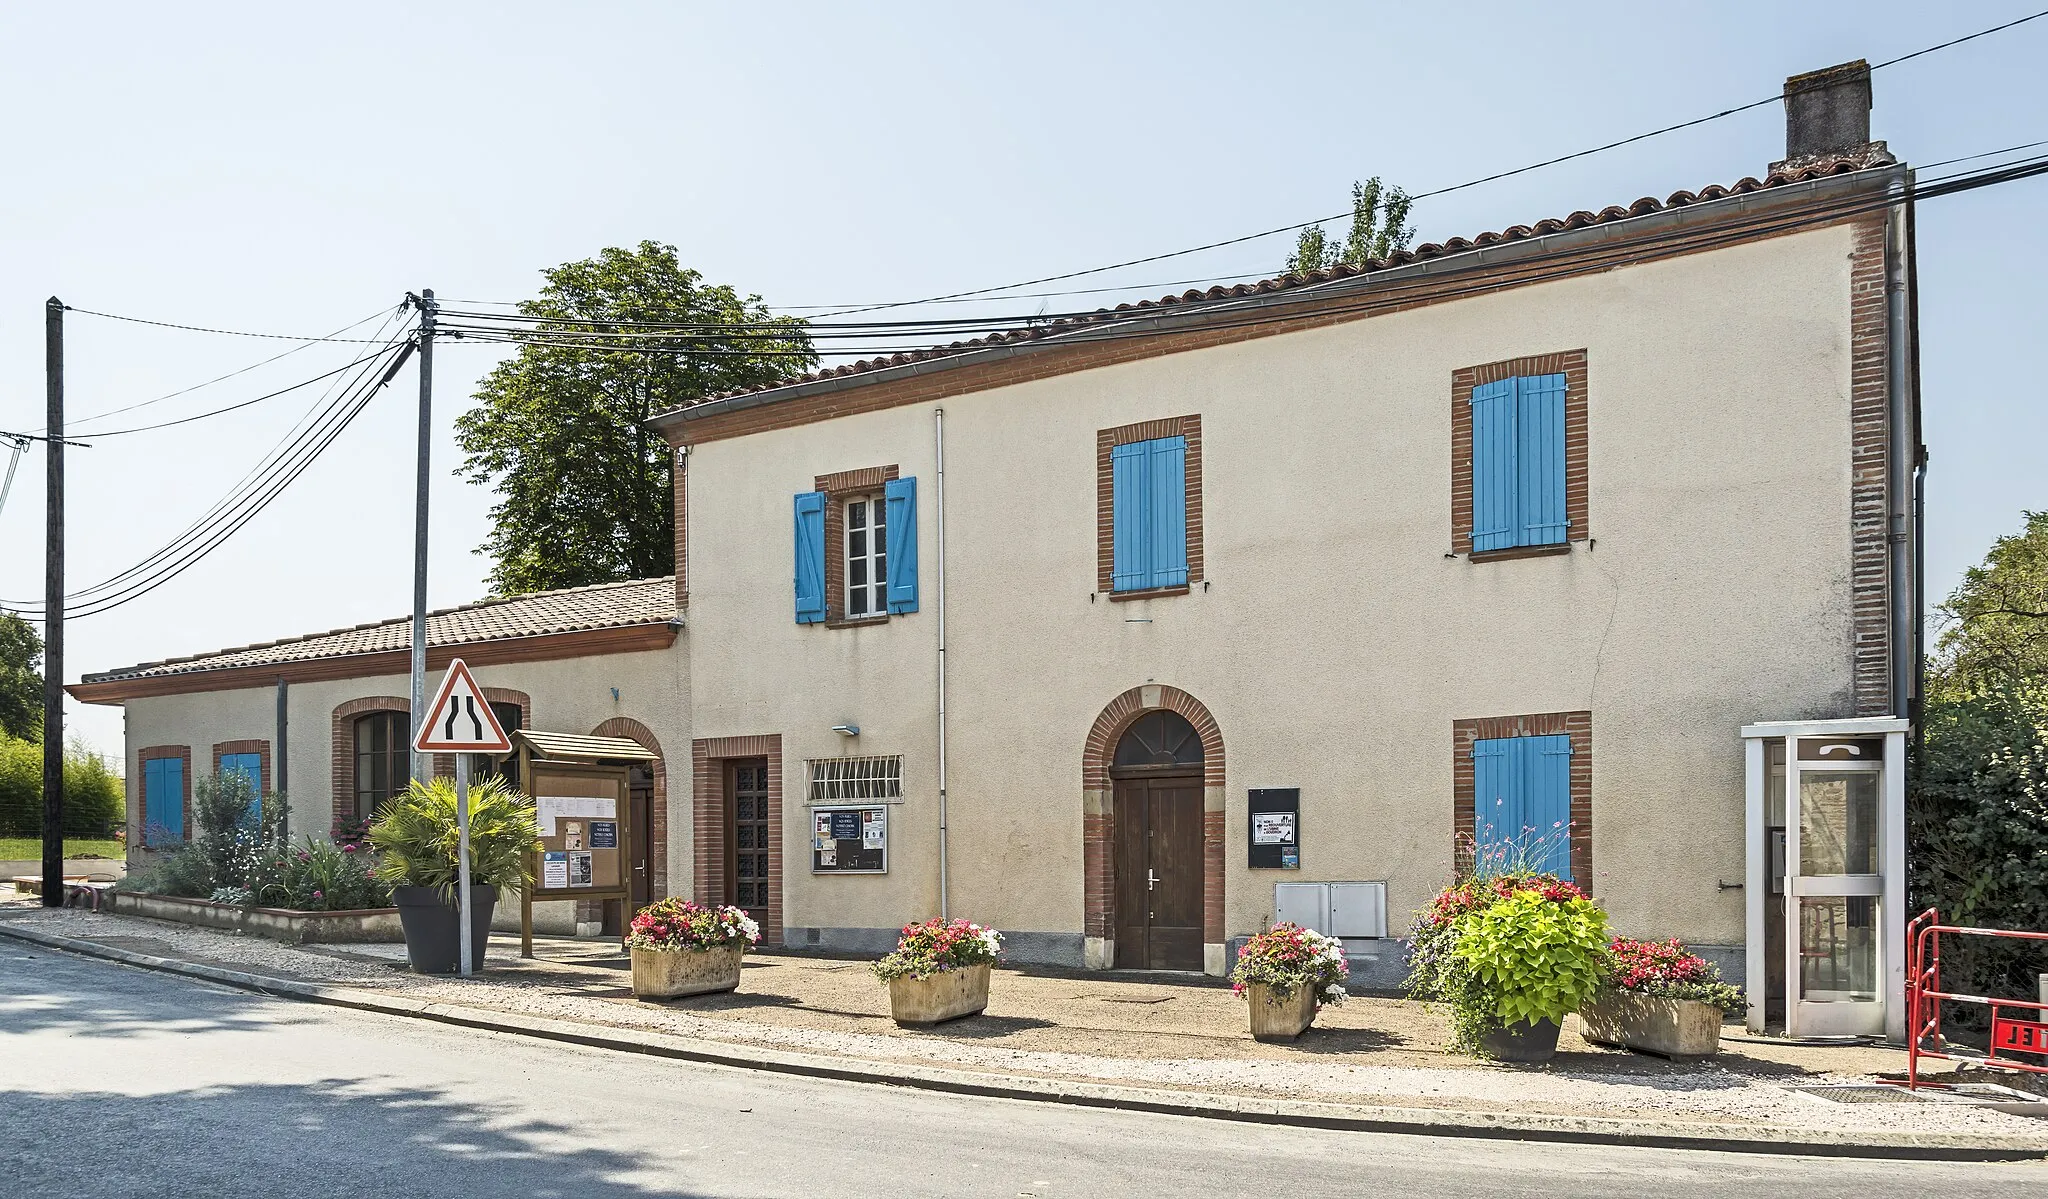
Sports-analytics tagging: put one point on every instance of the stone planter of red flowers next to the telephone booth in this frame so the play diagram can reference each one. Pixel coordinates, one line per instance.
(1662, 999)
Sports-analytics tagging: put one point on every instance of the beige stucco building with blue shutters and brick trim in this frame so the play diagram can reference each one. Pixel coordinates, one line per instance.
(1107, 626)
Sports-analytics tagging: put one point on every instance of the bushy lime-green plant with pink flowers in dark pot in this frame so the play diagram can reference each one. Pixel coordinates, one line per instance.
(1508, 956)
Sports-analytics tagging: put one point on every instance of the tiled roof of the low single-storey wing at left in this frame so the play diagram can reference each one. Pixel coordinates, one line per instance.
(609, 618)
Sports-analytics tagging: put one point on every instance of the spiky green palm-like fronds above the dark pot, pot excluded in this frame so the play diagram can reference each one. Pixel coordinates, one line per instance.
(417, 837)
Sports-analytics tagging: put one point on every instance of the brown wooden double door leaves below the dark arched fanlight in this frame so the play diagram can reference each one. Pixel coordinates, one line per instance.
(1160, 874)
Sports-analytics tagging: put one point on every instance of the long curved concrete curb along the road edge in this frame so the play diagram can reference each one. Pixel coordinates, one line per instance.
(1250, 1110)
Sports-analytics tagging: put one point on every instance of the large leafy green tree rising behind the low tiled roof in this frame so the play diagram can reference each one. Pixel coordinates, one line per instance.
(585, 489)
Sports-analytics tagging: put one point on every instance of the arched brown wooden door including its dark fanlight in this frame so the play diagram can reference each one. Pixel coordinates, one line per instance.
(1158, 825)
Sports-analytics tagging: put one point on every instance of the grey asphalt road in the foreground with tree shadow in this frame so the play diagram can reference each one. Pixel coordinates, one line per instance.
(126, 1083)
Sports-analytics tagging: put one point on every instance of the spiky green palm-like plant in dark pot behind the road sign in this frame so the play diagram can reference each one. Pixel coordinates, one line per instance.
(417, 841)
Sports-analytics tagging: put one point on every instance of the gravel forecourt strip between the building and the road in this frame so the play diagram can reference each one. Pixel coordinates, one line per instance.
(1086, 1028)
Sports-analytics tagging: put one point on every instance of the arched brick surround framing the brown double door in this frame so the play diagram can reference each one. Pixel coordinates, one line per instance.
(1099, 811)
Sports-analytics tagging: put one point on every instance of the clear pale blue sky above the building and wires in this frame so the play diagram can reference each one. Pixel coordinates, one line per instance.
(290, 169)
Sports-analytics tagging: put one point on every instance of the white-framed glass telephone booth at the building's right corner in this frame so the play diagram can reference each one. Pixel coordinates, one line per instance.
(1826, 888)
